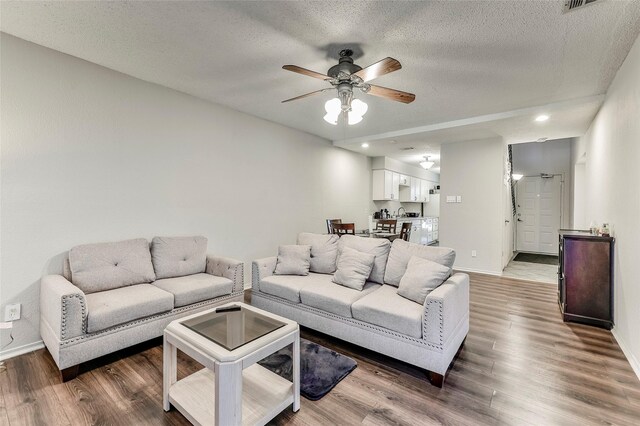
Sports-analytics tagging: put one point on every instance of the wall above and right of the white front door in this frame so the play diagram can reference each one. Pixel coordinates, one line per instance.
(553, 157)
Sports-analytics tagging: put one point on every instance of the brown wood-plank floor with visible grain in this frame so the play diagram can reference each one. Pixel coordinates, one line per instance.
(520, 365)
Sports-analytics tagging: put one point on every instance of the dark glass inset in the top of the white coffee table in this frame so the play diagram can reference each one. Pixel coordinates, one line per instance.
(234, 328)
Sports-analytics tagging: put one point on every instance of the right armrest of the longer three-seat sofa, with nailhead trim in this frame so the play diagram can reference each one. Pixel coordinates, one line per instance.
(444, 308)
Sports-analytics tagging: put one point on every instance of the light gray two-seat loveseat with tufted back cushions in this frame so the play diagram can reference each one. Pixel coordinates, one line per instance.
(114, 295)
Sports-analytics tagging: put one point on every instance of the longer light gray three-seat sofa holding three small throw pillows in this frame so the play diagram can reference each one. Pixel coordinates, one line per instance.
(427, 335)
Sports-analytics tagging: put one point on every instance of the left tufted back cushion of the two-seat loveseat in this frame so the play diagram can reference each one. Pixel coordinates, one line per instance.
(105, 266)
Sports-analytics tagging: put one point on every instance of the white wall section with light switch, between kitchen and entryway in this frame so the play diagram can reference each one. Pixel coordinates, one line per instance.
(473, 170)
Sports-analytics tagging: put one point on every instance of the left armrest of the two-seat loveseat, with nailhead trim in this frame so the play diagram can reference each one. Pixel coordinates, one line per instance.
(63, 306)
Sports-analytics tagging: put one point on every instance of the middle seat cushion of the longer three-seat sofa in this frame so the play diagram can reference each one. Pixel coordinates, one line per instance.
(334, 298)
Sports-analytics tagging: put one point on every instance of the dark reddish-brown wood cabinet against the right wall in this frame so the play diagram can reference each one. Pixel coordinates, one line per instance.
(585, 278)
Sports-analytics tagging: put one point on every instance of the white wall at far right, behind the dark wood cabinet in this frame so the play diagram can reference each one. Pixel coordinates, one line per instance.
(612, 148)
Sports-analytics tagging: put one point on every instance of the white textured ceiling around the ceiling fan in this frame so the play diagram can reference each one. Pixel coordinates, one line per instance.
(462, 59)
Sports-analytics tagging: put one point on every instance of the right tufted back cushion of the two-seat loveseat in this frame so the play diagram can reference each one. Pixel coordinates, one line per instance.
(178, 256)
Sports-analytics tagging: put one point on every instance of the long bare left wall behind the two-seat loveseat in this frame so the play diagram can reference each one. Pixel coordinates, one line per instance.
(90, 155)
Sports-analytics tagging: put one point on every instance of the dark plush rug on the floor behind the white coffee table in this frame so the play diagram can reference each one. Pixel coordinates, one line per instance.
(320, 368)
